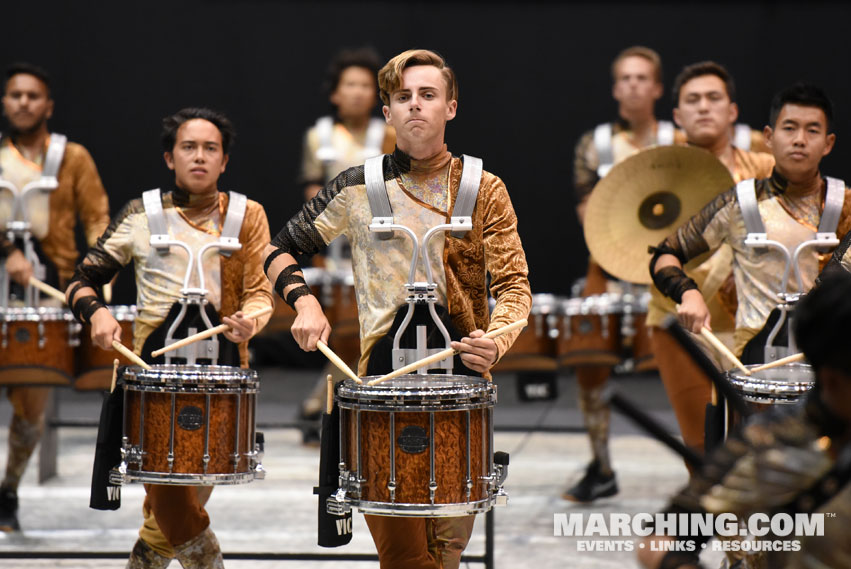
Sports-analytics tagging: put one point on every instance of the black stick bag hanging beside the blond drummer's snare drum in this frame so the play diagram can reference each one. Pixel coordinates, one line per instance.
(333, 531)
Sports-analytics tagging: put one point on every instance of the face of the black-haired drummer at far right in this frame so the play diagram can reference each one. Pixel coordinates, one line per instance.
(799, 140)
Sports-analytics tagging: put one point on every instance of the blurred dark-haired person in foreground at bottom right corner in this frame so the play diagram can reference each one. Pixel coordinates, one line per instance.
(779, 457)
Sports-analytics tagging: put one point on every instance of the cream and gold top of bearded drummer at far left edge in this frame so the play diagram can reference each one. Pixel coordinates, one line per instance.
(54, 214)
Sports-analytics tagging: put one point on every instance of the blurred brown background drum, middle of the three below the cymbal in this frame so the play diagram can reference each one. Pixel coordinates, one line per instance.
(589, 331)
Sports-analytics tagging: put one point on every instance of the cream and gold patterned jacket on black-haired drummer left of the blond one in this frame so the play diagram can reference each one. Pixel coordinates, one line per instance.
(235, 283)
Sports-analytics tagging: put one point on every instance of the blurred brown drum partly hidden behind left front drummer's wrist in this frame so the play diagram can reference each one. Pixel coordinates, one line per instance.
(94, 365)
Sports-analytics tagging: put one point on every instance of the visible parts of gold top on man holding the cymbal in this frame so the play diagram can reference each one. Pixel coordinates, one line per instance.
(711, 275)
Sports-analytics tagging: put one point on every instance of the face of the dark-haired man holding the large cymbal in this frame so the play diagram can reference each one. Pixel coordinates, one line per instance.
(704, 110)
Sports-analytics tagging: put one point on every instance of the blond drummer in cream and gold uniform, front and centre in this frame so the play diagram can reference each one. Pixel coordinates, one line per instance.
(421, 179)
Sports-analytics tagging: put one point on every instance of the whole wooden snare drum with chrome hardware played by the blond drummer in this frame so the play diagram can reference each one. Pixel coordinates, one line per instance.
(418, 445)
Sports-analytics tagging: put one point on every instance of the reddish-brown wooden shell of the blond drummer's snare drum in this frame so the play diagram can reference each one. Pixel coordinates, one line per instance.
(412, 469)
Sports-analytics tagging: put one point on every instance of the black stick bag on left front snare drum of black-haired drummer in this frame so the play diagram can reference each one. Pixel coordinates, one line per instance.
(105, 495)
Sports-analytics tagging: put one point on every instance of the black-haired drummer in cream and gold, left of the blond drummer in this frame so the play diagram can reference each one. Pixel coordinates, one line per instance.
(196, 144)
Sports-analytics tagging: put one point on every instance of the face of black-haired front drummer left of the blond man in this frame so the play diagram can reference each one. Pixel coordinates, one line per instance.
(197, 158)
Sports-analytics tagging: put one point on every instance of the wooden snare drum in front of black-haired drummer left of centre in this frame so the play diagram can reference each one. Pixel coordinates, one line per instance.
(189, 425)
